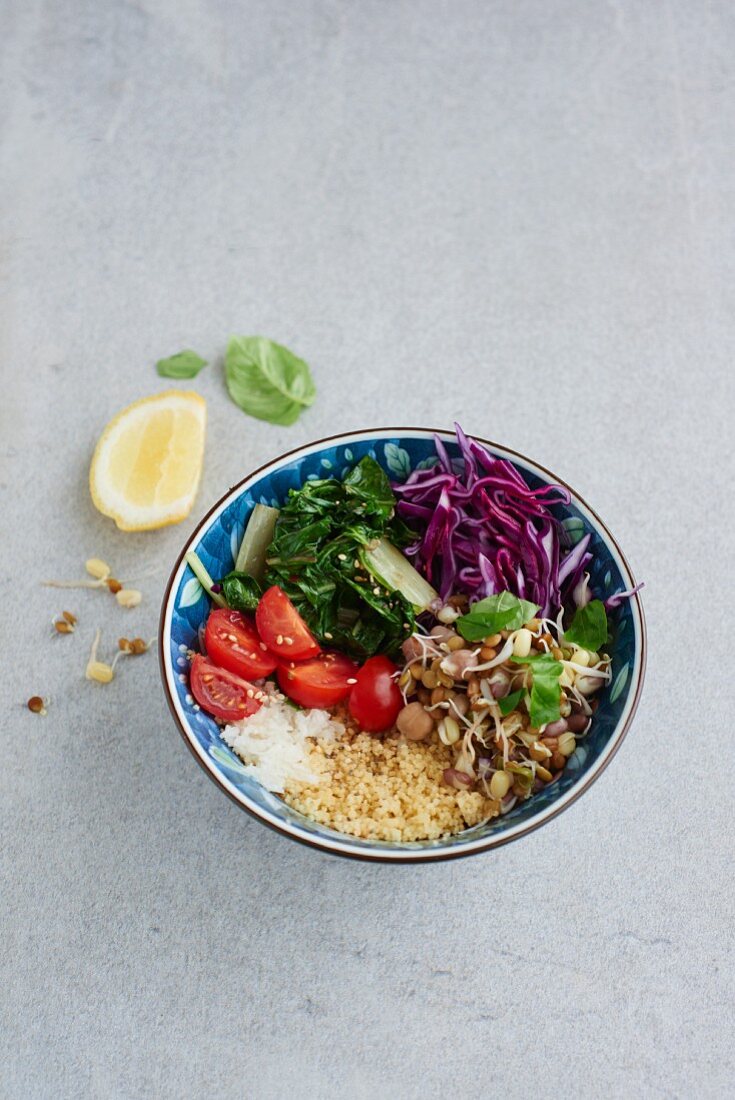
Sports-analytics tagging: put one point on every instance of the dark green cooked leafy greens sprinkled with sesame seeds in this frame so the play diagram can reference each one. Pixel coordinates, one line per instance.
(317, 557)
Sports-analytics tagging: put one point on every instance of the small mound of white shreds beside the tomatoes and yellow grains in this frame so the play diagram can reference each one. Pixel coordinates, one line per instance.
(273, 743)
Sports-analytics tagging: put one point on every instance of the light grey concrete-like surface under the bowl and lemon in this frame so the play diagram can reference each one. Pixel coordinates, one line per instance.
(518, 214)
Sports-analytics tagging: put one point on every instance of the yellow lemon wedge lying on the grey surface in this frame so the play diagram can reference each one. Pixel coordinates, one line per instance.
(148, 463)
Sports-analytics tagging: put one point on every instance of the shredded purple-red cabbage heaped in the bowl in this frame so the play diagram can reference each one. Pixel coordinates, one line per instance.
(486, 531)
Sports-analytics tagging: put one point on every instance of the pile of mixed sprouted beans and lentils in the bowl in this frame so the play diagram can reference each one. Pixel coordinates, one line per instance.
(460, 687)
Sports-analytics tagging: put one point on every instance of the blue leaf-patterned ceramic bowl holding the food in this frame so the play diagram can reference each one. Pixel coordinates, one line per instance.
(399, 450)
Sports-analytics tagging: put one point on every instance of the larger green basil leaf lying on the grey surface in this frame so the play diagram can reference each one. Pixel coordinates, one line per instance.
(267, 380)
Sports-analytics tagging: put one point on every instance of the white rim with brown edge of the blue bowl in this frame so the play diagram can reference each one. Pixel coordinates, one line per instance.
(386, 855)
